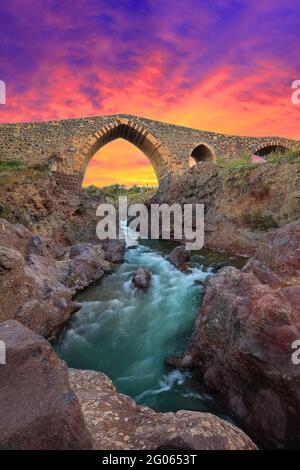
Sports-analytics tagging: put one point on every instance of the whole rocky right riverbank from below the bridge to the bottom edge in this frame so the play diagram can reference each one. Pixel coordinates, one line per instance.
(241, 347)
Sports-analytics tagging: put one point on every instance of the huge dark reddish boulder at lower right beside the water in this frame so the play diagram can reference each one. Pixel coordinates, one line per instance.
(242, 348)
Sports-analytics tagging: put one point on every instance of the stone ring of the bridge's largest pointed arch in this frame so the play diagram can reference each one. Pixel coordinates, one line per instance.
(137, 135)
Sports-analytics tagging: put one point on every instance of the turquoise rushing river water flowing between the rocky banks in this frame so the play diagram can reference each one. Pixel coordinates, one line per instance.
(127, 333)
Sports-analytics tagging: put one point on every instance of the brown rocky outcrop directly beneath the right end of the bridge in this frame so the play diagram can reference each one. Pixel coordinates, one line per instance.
(240, 205)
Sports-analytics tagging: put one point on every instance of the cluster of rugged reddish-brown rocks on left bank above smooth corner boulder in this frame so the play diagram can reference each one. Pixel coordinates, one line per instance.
(38, 282)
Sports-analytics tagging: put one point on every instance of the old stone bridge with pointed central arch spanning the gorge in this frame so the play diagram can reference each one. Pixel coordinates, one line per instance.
(68, 145)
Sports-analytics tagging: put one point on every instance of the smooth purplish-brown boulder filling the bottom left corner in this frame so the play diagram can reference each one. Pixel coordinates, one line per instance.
(38, 408)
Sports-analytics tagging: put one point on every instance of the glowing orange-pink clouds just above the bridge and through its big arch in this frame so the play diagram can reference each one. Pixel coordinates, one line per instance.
(231, 98)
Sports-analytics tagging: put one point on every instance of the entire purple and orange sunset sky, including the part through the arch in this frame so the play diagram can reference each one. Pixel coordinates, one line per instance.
(219, 65)
